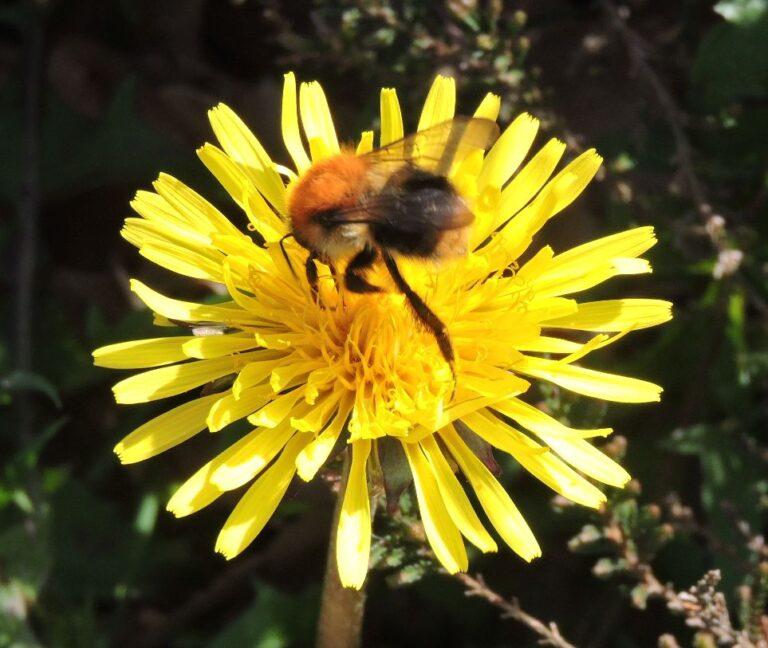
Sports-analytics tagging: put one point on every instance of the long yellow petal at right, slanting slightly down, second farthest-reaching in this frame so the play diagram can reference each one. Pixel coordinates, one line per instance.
(598, 384)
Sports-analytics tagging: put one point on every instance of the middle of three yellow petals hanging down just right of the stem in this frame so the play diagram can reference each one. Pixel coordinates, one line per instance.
(456, 500)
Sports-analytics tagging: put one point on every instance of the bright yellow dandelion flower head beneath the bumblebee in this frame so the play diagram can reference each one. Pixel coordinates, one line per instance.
(309, 372)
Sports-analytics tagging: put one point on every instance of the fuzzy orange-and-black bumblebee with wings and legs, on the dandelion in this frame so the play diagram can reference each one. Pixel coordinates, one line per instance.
(394, 201)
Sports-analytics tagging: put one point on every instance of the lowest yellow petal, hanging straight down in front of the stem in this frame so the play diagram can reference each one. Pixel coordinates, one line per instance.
(353, 538)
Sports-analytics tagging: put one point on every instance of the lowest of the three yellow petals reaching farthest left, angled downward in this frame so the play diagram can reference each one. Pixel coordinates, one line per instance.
(165, 431)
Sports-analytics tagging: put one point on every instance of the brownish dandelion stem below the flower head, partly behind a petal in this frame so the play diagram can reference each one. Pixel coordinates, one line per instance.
(341, 609)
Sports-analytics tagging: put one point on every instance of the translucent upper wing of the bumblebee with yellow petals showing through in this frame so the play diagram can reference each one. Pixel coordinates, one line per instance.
(437, 148)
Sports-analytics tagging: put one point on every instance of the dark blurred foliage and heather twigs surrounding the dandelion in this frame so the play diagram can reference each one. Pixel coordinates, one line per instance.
(99, 96)
